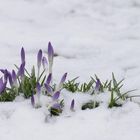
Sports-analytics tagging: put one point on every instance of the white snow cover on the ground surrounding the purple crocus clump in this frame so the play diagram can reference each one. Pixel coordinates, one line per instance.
(89, 36)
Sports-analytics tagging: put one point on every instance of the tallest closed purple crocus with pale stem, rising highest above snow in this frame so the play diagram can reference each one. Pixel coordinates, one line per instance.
(50, 56)
